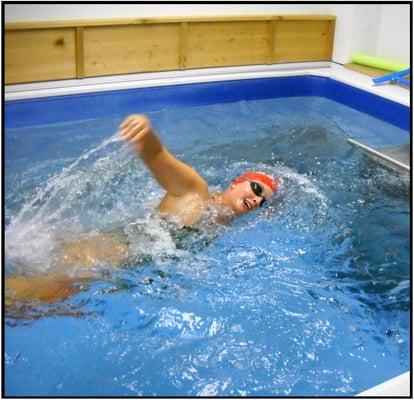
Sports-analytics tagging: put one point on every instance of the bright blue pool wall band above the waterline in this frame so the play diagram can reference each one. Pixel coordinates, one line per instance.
(67, 108)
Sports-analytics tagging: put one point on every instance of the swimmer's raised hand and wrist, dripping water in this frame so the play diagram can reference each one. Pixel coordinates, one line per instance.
(137, 130)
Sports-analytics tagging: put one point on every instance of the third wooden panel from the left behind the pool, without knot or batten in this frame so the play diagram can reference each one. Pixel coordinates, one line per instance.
(213, 44)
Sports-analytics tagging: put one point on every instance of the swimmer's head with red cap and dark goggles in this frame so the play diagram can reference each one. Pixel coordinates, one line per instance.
(250, 191)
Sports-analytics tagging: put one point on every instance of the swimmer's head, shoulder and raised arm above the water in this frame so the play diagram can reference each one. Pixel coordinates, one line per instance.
(187, 193)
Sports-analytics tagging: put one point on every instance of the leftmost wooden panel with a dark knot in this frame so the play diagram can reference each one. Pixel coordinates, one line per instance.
(39, 55)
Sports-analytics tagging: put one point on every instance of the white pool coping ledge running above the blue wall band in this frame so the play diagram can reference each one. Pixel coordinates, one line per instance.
(118, 82)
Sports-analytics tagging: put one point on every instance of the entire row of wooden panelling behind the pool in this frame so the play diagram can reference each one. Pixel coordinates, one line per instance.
(52, 50)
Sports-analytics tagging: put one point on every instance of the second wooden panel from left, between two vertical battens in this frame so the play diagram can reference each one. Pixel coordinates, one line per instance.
(127, 49)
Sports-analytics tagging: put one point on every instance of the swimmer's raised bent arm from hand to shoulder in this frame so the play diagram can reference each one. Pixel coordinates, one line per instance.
(176, 177)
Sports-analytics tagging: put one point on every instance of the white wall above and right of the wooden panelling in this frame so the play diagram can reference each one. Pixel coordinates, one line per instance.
(377, 29)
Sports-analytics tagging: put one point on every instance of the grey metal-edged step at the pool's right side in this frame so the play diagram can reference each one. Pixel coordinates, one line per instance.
(396, 158)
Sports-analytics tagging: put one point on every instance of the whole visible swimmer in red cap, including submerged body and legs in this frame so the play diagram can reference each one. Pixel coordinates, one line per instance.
(186, 200)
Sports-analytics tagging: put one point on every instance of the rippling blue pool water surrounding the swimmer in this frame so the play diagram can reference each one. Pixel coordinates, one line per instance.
(308, 296)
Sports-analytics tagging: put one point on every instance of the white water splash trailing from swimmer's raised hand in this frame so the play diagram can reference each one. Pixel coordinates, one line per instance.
(58, 210)
